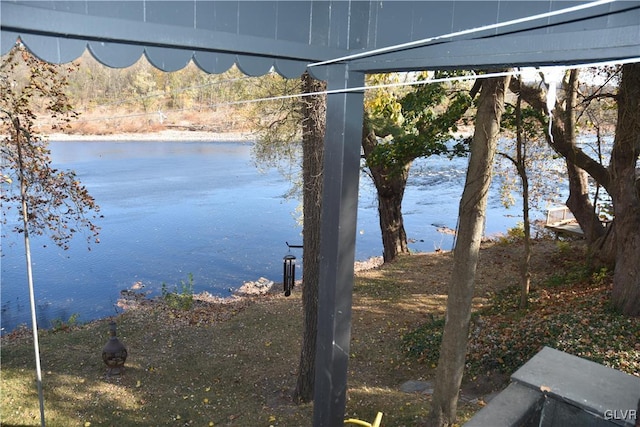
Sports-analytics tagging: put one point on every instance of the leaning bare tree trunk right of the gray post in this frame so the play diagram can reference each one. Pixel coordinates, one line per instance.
(465, 259)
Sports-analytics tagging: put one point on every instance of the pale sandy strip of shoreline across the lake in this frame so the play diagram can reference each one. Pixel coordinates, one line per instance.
(160, 136)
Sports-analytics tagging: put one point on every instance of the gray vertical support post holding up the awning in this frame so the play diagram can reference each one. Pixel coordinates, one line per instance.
(337, 244)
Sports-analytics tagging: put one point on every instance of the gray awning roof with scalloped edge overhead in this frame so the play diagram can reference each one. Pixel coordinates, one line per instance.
(288, 35)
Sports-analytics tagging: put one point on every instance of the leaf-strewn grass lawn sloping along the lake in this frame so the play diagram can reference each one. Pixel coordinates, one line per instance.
(235, 363)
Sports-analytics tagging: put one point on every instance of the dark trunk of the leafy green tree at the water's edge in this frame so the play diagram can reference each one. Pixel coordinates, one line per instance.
(390, 186)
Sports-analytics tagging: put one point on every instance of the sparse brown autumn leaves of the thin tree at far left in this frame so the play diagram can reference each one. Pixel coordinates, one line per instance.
(57, 203)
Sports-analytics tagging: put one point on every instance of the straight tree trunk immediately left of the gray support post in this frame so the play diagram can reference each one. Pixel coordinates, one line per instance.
(314, 109)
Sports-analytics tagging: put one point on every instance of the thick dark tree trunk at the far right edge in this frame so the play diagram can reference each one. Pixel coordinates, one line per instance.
(626, 197)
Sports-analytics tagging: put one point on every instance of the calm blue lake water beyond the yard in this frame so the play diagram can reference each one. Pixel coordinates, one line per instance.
(177, 208)
